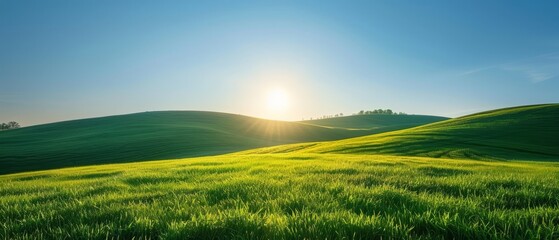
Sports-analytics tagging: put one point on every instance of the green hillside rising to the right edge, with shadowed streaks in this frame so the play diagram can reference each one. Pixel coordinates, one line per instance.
(525, 133)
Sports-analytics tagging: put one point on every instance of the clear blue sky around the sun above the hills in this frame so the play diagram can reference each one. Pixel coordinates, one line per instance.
(64, 60)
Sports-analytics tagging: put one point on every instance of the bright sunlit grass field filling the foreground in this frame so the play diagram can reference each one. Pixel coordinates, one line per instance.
(285, 196)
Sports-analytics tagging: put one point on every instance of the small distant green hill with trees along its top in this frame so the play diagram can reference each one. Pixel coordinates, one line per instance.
(376, 121)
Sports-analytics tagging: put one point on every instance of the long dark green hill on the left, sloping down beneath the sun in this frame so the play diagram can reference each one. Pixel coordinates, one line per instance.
(153, 136)
